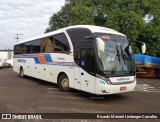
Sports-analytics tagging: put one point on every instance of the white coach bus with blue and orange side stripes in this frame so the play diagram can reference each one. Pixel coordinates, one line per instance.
(93, 59)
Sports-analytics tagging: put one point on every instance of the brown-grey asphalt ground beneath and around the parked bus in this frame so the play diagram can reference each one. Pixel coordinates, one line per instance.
(30, 95)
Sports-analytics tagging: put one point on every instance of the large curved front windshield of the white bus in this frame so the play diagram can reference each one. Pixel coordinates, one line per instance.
(115, 54)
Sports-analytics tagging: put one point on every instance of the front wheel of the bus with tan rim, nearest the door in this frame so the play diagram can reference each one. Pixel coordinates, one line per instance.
(63, 83)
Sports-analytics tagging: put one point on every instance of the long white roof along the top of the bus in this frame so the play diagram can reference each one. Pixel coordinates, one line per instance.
(92, 28)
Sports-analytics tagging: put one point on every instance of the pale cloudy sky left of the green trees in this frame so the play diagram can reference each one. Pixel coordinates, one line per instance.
(27, 17)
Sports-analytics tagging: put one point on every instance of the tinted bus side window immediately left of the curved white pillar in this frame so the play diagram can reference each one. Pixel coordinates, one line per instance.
(61, 43)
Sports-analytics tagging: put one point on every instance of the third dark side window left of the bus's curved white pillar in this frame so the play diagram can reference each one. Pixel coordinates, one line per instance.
(36, 46)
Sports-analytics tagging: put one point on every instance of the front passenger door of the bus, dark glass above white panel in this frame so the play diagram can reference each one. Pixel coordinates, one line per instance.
(87, 70)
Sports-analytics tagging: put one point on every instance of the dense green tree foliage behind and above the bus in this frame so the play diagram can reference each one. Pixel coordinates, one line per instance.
(125, 16)
